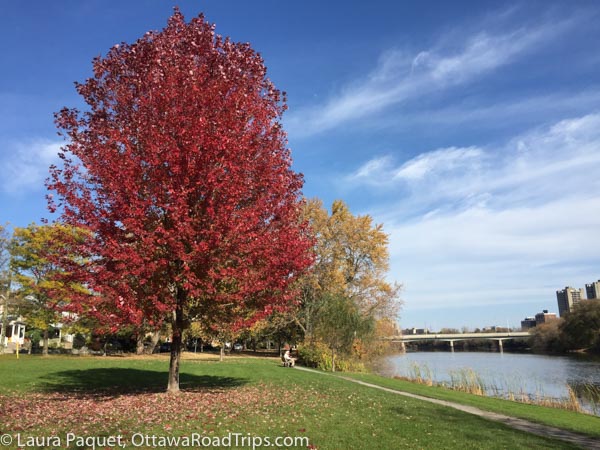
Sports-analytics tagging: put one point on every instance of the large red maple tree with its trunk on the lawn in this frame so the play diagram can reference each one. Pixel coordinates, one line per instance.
(179, 170)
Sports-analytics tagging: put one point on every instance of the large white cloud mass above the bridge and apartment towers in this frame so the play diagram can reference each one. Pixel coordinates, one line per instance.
(522, 217)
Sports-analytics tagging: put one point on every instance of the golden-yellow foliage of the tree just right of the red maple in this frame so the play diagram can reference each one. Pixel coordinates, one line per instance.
(352, 260)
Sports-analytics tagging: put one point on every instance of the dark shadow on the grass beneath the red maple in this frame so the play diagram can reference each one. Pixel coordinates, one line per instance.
(118, 381)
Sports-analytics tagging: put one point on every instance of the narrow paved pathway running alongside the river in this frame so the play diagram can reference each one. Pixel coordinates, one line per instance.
(514, 422)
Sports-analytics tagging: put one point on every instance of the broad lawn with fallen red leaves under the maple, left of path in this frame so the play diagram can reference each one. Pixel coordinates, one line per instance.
(96, 396)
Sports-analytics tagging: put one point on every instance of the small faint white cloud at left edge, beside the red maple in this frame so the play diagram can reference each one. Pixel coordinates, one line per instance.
(25, 164)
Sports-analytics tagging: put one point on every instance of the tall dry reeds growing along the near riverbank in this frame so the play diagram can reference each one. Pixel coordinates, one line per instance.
(581, 397)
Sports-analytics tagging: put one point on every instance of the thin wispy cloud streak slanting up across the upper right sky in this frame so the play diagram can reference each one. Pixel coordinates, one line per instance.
(402, 77)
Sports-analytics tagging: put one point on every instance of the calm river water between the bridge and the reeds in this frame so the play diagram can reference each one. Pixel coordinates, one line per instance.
(503, 373)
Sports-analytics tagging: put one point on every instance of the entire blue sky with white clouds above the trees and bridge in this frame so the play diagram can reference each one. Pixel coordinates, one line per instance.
(471, 130)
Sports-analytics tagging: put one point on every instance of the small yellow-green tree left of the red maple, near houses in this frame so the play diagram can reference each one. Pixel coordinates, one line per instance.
(35, 252)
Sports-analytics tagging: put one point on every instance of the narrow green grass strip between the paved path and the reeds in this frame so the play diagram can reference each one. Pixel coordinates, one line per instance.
(568, 420)
